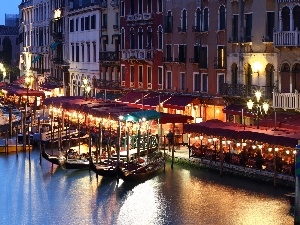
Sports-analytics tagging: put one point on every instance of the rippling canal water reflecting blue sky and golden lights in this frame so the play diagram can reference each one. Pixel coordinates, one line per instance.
(39, 194)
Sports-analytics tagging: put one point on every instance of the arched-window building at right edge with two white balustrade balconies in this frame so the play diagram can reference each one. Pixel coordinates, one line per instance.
(286, 42)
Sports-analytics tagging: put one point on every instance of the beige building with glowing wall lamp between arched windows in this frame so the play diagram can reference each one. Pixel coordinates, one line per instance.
(252, 61)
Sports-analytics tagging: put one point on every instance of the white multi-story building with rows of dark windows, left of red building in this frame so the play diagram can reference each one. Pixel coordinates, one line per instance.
(85, 38)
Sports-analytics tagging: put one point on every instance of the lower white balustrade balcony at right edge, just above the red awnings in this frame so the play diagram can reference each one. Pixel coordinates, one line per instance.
(286, 100)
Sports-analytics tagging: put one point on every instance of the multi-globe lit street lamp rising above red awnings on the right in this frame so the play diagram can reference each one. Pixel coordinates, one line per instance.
(258, 107)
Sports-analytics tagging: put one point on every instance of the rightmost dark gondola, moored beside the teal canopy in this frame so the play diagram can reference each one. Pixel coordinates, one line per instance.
(142, 171)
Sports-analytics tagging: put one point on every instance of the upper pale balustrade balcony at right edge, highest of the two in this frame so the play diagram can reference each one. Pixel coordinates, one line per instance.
(287, 38)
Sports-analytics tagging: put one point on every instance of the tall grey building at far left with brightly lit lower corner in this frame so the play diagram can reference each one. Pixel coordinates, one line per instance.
(35, 39)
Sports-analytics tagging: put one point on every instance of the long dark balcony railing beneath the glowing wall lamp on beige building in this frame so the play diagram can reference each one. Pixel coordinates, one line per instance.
(244, 91)
